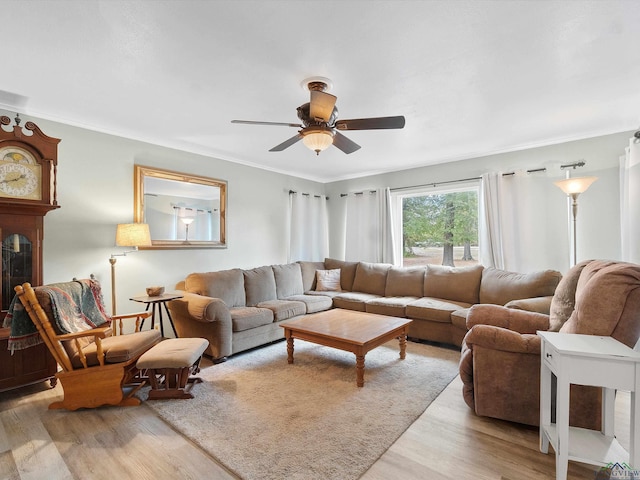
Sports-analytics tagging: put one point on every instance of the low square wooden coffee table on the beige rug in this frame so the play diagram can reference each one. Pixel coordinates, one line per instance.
(349, 330)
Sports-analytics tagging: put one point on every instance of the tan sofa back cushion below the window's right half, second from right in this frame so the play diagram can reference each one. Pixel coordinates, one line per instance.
(461, 284)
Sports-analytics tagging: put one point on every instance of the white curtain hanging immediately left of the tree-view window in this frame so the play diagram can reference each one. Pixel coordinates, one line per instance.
(369, 227)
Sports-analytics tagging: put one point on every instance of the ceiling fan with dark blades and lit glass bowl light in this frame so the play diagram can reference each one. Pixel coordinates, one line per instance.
(320, 124)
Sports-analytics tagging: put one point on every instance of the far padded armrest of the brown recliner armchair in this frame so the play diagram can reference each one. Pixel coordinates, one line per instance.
(520, 321)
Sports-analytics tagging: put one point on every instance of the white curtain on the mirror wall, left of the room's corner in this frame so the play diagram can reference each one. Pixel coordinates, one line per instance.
(308, 227)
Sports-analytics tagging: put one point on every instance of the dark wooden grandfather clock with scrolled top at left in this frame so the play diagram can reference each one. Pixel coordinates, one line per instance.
(28, 168)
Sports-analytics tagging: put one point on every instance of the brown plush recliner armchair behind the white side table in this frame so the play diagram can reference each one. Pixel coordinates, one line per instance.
(500, 362)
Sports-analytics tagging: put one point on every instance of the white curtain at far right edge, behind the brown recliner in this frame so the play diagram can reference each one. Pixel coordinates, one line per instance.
(630, 202)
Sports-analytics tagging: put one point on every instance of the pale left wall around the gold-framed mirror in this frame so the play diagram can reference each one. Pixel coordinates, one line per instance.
(95, 192)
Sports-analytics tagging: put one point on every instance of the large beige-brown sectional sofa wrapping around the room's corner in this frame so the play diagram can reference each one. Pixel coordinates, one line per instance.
(240, 309)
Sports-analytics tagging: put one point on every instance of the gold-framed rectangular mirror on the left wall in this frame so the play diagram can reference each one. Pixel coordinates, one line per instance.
(182, 210)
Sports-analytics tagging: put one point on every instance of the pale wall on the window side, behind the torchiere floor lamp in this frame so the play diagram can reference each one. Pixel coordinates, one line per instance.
(598, 213)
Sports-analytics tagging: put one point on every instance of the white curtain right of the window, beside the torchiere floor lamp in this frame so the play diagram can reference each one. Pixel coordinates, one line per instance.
(519, 218)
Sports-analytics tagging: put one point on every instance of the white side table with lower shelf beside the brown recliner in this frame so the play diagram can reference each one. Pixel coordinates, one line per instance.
(587, 360)
